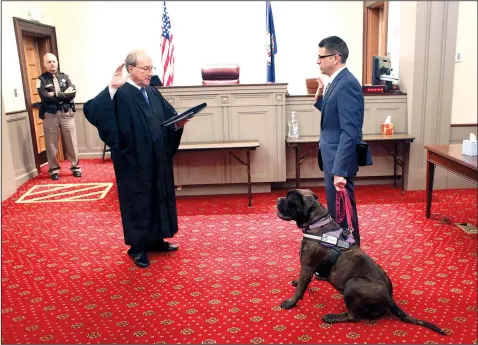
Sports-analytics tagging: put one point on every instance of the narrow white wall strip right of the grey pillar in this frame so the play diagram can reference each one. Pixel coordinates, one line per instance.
(464, 86)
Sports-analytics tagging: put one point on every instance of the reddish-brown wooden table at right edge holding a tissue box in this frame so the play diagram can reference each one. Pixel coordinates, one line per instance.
(450, 158)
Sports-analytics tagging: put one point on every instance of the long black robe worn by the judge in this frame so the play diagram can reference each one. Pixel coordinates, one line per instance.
(142, 153)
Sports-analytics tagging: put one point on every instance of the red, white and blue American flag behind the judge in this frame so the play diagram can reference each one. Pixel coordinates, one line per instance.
(167, 50)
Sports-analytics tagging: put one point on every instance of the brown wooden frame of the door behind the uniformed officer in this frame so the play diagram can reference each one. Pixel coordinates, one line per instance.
(30, 28)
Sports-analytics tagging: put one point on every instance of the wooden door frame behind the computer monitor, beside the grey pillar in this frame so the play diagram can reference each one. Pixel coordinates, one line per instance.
(368, 6)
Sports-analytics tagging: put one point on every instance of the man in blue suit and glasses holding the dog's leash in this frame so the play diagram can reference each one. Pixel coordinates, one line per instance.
(341, 104)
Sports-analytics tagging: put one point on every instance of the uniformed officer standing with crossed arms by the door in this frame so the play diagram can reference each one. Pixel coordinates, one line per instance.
(58, 110)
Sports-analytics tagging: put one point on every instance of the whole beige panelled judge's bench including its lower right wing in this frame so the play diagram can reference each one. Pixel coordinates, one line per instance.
(259, 113)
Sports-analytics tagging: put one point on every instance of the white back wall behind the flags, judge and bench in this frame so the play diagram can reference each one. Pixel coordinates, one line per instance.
(97, 36)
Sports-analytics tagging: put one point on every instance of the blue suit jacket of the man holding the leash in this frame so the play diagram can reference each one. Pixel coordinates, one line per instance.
(342, 110)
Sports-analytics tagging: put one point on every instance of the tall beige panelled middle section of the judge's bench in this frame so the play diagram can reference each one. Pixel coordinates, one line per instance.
(236, 112)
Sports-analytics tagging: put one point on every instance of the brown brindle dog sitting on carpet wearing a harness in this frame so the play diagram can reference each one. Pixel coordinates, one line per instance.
(366, 288)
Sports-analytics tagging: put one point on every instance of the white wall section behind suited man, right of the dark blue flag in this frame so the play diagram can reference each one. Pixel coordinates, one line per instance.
(301, 25)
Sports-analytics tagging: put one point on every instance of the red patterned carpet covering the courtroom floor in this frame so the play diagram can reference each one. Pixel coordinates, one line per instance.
(66, 277)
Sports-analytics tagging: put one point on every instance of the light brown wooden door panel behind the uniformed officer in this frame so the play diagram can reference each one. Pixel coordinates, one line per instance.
(34, 66)
